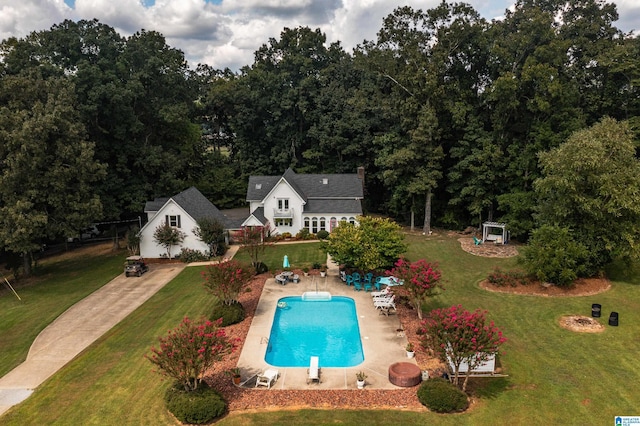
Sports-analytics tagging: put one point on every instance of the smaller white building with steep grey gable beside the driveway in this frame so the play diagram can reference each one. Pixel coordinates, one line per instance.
(181, 211)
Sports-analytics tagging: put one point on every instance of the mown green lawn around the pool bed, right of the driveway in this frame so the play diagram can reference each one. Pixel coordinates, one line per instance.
(555, 376)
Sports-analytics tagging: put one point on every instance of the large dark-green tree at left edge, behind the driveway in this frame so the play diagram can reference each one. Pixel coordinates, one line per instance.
(48, 166)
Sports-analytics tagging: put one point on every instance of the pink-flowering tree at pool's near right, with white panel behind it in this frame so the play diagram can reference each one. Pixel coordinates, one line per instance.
(456, 336)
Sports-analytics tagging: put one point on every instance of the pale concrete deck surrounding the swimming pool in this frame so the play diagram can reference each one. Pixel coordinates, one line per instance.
(383, 341)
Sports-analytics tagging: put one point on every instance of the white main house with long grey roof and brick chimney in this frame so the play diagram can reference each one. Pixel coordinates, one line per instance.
(291, 202)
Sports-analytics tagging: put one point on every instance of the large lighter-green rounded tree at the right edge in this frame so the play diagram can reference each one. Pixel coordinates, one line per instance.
(591, 185)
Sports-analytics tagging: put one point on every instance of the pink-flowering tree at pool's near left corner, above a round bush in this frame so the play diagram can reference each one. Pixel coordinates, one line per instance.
(189, 350)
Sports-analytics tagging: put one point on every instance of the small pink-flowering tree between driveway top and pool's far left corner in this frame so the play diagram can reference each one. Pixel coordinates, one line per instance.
(225, 280)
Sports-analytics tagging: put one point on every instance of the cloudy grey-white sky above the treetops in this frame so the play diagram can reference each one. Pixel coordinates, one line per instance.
(226, 33)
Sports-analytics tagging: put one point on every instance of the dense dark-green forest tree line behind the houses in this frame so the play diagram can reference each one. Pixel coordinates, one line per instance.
(449, 114)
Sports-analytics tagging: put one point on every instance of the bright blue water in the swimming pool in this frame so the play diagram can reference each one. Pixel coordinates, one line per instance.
(327, 329)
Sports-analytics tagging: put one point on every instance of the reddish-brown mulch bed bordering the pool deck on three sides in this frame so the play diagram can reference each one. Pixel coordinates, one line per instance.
(239, 398)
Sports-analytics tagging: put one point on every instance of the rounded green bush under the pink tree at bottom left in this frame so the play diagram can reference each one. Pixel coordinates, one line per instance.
(196, 407)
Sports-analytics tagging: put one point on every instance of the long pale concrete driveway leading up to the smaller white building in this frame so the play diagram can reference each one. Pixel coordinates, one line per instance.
(80, 326)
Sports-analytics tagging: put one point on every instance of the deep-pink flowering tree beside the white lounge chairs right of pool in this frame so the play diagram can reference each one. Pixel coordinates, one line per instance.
(421, 280)
